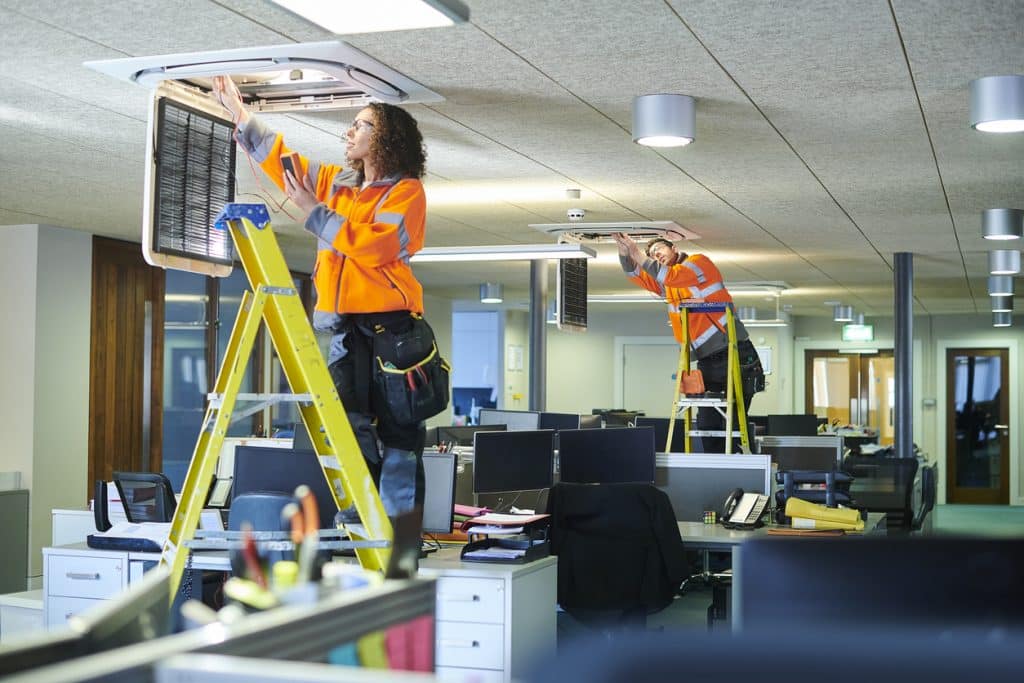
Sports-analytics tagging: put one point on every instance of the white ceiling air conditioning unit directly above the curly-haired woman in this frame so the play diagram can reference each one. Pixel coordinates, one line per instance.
(328, 75)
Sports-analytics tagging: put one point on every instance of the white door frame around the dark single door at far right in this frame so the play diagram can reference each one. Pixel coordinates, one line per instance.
(1012, 347)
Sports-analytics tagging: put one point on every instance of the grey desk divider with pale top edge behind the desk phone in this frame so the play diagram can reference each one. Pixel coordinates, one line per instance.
(696, 483)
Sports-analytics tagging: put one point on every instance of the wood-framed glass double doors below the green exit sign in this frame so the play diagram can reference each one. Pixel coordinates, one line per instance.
(857, 390)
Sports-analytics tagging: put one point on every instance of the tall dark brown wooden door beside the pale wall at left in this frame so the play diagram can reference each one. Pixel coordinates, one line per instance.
(126, 364)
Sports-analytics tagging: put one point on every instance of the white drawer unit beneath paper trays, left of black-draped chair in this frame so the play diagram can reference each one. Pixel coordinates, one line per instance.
(493, 621)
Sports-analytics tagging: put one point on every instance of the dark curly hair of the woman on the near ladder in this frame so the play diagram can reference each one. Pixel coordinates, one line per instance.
(397, 146)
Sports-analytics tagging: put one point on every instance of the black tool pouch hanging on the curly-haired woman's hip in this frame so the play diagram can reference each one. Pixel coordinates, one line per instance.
(412, 377)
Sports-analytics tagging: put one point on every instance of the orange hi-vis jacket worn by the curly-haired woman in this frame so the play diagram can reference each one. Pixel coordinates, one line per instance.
(365, 237)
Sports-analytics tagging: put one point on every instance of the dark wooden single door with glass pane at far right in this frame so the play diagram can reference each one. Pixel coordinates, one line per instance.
(977, 426)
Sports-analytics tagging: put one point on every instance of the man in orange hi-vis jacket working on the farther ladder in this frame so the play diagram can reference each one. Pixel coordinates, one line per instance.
(678, 277)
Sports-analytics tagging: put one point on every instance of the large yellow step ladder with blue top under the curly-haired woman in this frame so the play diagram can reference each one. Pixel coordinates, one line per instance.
(275, 301)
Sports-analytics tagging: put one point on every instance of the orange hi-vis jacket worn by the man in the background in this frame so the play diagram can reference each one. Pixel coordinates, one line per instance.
(696, 278)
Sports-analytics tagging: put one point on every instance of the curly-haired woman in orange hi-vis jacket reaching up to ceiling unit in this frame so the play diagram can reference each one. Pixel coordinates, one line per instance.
(369, 219)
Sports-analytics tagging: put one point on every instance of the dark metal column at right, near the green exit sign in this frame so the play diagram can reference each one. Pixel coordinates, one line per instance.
(904, 330)
